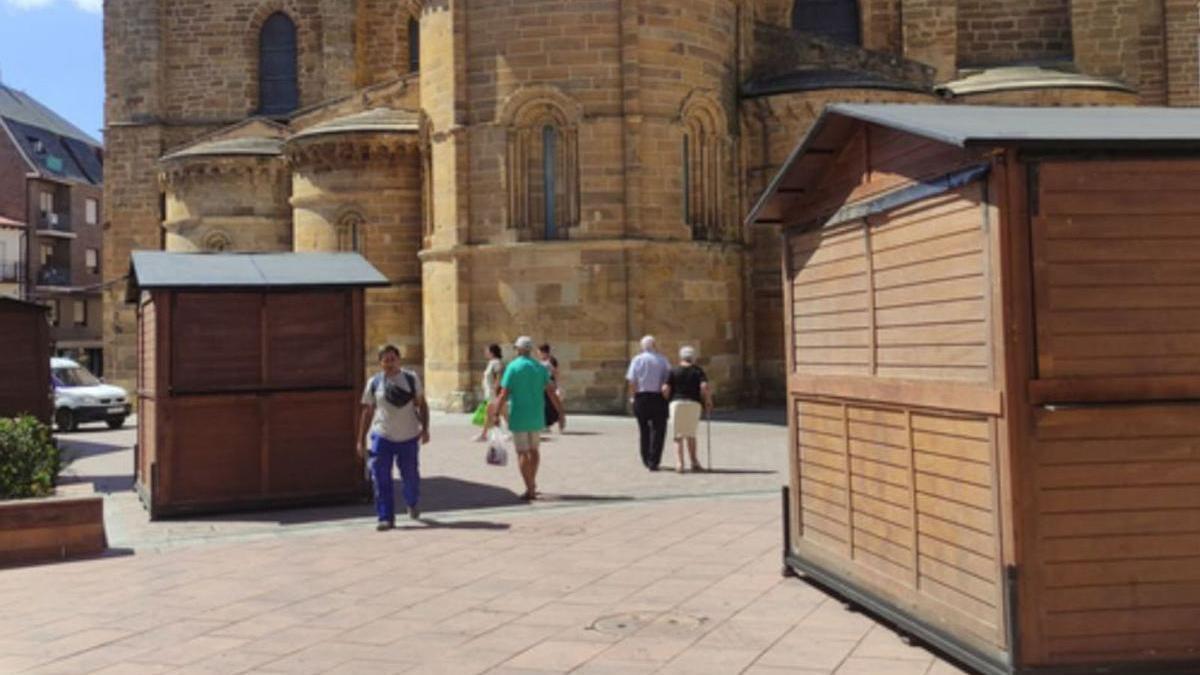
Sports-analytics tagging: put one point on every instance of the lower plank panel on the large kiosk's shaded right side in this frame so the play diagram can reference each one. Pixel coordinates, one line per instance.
(1118, 551)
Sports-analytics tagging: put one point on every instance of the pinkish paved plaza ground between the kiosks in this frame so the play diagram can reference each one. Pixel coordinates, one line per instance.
(617, 571)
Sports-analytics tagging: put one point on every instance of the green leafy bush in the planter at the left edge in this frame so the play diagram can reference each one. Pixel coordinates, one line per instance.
(29, 459)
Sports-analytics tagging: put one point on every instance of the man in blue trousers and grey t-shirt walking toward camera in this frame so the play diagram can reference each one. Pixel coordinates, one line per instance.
(394, 426)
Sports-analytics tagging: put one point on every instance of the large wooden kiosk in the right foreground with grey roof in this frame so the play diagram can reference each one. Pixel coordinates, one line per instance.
(994, 389)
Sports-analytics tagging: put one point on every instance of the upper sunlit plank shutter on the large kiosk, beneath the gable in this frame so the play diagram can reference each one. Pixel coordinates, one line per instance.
(904, 298)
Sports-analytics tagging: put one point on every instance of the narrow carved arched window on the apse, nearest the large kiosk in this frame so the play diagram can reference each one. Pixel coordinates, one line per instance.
(706, 154)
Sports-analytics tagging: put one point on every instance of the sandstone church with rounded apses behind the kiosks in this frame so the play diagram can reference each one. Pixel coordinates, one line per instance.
(573, 170)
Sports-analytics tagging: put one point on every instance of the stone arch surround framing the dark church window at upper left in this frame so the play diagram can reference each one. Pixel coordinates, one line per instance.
(309, 49)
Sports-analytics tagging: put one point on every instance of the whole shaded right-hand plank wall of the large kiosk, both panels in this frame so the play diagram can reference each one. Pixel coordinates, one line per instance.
(1115, 542)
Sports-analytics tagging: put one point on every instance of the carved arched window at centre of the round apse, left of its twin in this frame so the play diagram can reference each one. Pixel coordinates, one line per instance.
(543, 129)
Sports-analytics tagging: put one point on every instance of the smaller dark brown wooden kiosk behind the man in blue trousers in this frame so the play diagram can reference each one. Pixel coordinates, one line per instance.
(251, 368)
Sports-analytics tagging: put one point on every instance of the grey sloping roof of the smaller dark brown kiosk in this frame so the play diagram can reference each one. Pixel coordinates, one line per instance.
(161, 270)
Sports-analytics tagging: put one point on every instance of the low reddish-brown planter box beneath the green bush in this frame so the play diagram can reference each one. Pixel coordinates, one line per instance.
(52, 529)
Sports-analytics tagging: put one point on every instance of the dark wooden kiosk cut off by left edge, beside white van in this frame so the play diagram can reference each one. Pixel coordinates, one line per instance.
(25, 361)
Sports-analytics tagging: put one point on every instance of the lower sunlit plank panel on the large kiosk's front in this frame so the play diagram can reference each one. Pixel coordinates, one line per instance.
(909, 497)
